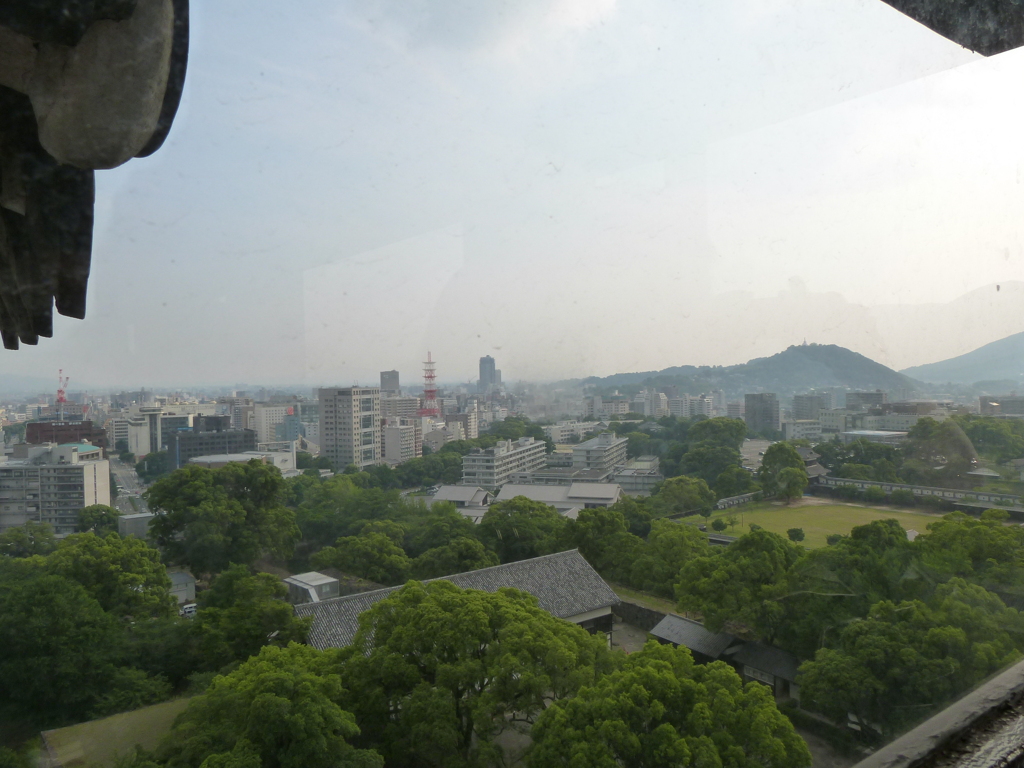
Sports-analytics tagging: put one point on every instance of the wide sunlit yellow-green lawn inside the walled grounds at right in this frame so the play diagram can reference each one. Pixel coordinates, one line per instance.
(818, 521)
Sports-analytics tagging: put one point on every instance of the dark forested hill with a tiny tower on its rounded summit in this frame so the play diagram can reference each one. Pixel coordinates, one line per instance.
(796, 370)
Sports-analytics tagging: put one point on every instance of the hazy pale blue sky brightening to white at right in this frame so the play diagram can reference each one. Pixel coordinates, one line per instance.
(573, 187)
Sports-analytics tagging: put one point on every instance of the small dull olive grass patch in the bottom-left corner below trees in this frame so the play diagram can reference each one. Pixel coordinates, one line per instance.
(100, 742)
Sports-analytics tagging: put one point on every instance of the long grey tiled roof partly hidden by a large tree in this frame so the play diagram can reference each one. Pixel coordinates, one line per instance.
(565, 584)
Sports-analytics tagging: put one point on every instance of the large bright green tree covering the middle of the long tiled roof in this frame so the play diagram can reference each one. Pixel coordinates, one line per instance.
(436, 673)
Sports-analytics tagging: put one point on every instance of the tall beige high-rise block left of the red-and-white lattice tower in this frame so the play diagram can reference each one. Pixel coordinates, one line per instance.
(351, 426)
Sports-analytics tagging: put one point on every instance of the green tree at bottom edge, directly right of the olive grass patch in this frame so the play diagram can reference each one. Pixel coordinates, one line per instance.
(281, 709)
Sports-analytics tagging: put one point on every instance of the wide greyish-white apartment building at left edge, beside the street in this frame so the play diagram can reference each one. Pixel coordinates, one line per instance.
(53, 484)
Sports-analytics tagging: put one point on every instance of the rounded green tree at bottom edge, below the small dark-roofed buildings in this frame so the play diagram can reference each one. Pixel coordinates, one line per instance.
(662, 709)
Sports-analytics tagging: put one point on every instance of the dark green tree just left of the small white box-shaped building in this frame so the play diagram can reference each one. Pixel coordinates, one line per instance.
(242, 613)
